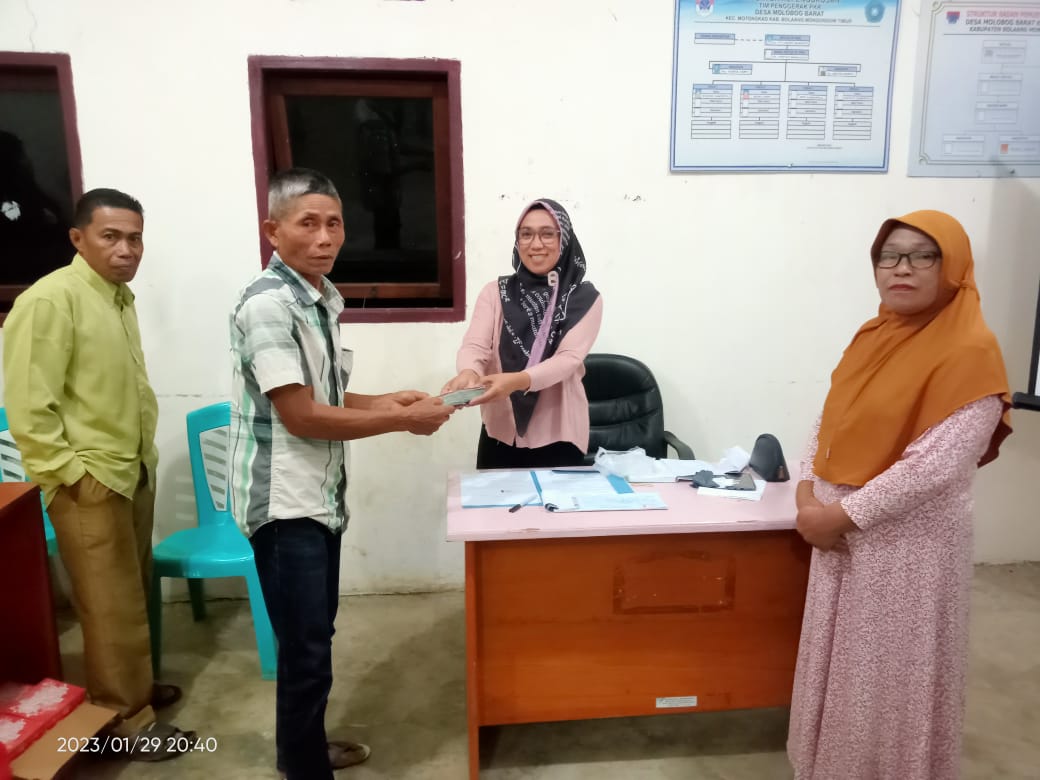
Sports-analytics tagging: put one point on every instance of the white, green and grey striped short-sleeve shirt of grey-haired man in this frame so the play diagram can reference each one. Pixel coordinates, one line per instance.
(285, 332)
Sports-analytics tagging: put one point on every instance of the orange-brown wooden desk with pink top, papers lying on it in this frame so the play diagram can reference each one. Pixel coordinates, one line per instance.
(611, 614)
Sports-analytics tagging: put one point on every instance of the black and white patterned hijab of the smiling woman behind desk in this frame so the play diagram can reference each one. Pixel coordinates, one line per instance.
(530, 335)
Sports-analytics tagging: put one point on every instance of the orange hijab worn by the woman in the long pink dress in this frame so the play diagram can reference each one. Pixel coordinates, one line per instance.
(902, 375)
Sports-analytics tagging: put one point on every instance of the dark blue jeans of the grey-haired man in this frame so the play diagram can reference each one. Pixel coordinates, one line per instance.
(298, 562)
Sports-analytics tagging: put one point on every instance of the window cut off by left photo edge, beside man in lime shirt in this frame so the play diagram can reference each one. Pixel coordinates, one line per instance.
(41, 174)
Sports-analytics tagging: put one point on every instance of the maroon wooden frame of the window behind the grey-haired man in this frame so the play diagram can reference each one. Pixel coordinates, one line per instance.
(450, 189)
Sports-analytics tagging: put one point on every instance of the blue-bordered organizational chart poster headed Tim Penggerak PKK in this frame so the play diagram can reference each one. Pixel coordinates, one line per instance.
(783, 85)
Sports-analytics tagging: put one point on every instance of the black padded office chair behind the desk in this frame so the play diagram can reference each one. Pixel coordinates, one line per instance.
(626, 409)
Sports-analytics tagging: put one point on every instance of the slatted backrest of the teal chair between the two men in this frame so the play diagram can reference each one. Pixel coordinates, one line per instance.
(209, 432)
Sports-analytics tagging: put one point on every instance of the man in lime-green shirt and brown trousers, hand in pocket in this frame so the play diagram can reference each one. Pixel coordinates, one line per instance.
(84, 417)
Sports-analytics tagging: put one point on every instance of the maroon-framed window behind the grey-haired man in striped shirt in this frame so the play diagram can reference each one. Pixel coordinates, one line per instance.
(388, 135)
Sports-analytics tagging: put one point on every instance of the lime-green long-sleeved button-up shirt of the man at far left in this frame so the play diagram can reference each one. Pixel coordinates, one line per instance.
(75, 384)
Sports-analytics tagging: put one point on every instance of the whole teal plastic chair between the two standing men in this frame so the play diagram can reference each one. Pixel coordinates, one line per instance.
(217, 548)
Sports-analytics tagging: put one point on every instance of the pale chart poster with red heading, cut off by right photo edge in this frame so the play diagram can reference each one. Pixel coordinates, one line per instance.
(977, 98)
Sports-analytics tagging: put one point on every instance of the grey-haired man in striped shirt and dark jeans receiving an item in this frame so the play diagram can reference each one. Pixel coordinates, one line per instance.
(292, 424)
